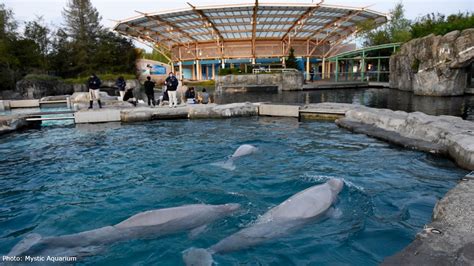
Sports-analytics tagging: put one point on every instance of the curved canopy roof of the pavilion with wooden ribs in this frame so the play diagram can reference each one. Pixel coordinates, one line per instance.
(256, 21)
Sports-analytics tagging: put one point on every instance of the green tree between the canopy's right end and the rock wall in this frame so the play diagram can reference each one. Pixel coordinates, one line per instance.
(397, 29)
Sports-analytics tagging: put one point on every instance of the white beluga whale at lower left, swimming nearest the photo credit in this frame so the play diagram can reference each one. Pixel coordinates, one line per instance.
(149, 224)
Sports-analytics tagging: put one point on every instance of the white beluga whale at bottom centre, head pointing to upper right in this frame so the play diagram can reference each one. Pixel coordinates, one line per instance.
(293, 213)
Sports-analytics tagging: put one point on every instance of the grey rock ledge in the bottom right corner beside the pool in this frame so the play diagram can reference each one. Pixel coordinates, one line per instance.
(449, 238)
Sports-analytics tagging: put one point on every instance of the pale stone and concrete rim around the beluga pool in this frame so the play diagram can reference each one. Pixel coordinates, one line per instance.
(447, 240)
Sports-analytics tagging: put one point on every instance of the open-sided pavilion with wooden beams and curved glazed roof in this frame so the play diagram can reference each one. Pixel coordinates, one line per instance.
(200, 40)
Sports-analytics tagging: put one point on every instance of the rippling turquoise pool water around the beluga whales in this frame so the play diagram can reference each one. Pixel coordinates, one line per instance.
(61, 180)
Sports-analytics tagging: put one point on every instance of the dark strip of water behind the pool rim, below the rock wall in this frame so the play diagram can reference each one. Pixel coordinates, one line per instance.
(380, 98)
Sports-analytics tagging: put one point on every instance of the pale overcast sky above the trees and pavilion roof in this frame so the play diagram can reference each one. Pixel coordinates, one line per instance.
(110, 10)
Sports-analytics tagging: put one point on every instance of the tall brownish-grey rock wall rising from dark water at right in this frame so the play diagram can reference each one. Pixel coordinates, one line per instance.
(434, 65)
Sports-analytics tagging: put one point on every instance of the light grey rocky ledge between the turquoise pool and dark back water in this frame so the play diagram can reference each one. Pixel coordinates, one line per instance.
(446, 135)
